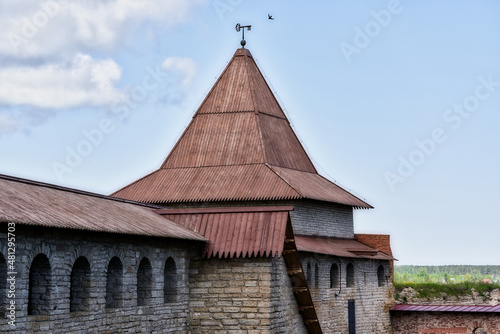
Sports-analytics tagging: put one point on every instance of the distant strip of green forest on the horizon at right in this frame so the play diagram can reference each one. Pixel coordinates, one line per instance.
(446, 274)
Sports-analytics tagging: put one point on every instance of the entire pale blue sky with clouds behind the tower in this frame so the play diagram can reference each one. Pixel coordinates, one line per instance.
(396, 101)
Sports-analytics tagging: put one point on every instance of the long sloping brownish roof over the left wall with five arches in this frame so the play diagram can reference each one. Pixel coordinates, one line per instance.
(40, 204)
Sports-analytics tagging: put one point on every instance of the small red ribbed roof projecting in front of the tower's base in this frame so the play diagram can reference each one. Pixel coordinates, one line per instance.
(236, 232)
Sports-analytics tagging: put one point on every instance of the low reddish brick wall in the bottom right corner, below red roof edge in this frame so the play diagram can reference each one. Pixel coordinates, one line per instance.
(445, 322)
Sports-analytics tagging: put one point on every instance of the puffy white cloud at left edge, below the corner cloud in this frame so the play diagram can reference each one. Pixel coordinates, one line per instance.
(83, 81)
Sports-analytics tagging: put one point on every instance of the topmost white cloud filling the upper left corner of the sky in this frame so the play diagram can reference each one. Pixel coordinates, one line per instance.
(51, 28)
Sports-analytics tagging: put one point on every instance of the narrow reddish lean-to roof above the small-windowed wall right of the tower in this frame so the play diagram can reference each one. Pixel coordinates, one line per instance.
(339, 247)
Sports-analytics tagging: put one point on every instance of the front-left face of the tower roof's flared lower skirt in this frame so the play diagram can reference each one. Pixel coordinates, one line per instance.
(222, 183)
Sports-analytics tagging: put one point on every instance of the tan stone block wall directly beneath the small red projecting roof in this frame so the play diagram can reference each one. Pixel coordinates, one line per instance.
(242, 296)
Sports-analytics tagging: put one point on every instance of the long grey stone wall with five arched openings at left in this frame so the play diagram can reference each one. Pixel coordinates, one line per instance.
(62, 248)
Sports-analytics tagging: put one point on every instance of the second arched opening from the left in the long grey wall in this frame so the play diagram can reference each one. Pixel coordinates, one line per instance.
(80, 286)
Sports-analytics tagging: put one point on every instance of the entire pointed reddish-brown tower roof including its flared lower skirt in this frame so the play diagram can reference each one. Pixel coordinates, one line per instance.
(239, 146)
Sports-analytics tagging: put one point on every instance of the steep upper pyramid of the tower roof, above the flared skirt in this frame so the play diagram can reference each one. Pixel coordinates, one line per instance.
(239, 122)
